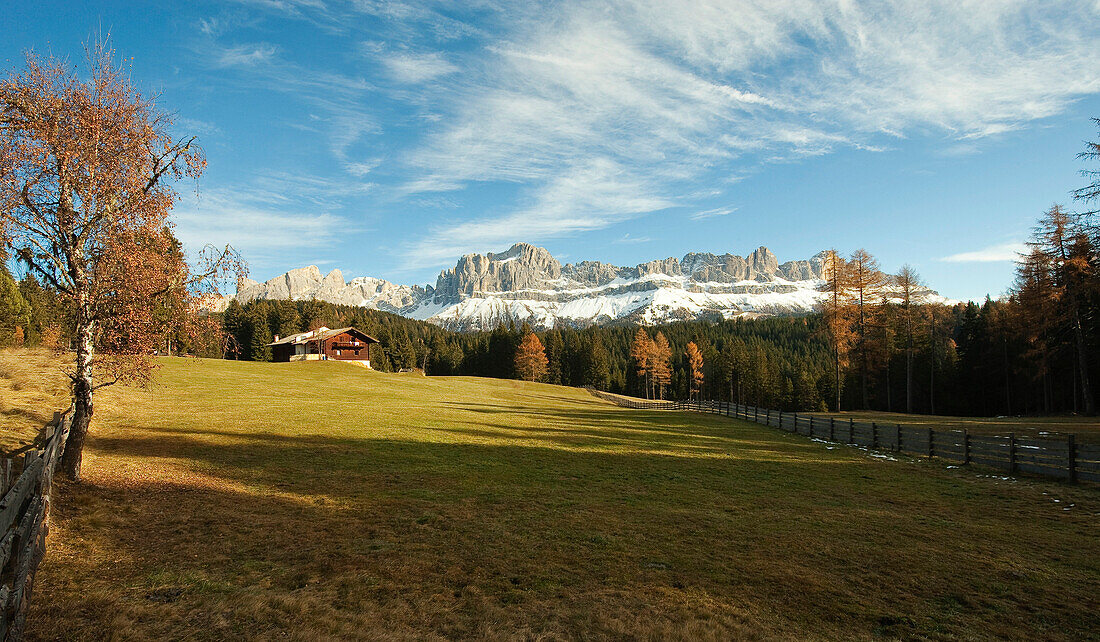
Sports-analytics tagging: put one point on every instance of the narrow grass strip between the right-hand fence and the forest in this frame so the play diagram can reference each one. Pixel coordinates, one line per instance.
(1085, 428)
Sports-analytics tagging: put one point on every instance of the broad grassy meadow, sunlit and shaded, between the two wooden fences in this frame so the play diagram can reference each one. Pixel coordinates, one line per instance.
(320, 501)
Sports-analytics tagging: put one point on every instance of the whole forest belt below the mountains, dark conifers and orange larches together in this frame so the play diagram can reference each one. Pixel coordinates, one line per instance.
(879, 342)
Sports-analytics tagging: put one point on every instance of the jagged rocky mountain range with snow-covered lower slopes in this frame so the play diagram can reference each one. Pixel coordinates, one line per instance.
(527, 284)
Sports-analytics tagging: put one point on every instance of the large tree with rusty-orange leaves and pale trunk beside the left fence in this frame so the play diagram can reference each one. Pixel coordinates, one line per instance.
(86, 167)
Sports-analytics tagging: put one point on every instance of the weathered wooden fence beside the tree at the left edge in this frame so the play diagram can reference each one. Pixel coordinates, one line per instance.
(25, 511)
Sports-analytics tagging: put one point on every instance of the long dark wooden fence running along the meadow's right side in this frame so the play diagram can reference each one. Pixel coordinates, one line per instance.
(1058, 456)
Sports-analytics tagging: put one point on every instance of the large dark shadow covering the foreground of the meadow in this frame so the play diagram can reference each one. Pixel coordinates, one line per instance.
(359, 537)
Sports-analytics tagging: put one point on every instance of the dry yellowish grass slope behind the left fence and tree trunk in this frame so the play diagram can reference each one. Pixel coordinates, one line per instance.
(32, 389)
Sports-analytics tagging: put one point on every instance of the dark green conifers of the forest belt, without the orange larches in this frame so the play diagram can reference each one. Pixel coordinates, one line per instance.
(999, 358)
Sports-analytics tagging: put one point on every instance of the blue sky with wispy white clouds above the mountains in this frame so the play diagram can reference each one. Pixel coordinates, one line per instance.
(388, 138)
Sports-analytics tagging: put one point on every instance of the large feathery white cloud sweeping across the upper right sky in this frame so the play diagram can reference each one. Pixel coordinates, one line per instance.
(601, 113)
